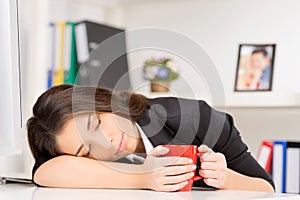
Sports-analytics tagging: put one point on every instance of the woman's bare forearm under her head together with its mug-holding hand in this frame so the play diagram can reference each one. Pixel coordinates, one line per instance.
(157, 173)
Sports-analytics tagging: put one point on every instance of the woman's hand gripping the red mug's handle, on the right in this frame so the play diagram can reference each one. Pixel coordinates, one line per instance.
(213, 167)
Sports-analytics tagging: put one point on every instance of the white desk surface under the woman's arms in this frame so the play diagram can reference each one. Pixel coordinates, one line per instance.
(30, 192)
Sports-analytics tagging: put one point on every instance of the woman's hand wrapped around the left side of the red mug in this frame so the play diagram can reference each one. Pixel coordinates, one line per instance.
(166, 173)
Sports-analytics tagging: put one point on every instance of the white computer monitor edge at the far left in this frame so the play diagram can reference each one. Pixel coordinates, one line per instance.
(11, 130)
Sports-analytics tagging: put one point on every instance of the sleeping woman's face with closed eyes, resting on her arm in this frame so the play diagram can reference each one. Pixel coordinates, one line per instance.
(103, 136)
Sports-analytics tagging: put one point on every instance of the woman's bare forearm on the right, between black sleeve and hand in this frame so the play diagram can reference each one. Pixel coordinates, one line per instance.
(237, 181)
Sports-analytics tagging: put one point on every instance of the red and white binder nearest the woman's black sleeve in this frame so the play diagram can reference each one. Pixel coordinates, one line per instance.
(264, 156)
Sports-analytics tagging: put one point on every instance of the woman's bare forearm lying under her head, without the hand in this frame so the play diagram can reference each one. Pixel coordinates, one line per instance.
(74, 172)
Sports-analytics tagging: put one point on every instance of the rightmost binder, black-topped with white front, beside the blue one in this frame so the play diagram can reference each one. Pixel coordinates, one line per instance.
(293, 167)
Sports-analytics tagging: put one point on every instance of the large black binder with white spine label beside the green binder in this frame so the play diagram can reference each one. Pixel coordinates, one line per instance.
(105, 66)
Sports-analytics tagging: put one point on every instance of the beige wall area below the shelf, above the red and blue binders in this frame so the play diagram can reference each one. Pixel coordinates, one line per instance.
(257, 124)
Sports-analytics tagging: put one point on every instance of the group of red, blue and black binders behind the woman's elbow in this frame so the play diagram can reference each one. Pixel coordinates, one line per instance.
(281, 159)
